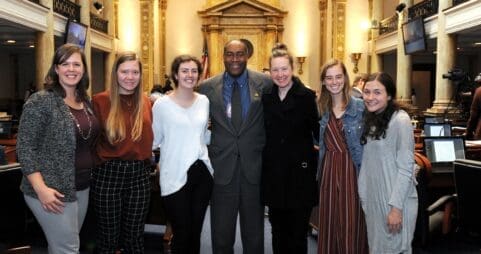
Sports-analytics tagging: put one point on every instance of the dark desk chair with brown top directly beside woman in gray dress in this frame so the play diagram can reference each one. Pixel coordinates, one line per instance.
(430, 216)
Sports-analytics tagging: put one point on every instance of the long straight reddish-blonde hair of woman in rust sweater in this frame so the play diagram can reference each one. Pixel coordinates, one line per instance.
(115, 125)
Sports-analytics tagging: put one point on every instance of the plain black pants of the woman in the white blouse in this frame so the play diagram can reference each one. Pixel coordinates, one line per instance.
(186, 209)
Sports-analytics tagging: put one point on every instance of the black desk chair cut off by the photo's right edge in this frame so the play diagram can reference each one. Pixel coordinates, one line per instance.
(467, 178)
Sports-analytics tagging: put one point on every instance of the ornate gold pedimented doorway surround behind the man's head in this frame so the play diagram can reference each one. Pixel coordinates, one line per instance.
(258, 22)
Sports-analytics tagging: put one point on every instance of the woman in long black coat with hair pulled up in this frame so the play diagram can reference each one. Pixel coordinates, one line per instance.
(290, 160)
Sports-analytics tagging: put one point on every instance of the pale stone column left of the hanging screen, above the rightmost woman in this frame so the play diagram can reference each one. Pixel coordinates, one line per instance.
(404, 62)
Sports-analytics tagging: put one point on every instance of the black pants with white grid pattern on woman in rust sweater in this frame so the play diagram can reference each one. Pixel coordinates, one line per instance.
(121, 196)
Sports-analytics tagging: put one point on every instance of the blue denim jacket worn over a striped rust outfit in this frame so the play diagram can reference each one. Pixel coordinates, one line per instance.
(352, 122)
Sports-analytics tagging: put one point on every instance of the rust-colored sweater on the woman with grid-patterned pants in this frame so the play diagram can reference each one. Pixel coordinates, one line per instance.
(126, 149)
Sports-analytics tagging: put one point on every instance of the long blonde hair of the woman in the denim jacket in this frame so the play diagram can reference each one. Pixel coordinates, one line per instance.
(325, 101)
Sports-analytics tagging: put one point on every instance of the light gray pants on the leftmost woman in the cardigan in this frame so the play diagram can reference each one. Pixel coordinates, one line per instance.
(61, 230)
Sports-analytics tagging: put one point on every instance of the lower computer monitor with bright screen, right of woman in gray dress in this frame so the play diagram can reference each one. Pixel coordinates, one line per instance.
(444, 149)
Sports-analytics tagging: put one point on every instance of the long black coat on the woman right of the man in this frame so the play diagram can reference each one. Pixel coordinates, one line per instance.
(289, 157)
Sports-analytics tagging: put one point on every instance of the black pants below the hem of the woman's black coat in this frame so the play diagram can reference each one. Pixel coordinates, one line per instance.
(289, 229)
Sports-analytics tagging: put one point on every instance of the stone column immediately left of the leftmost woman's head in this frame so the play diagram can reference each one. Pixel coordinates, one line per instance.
(45, 47)
